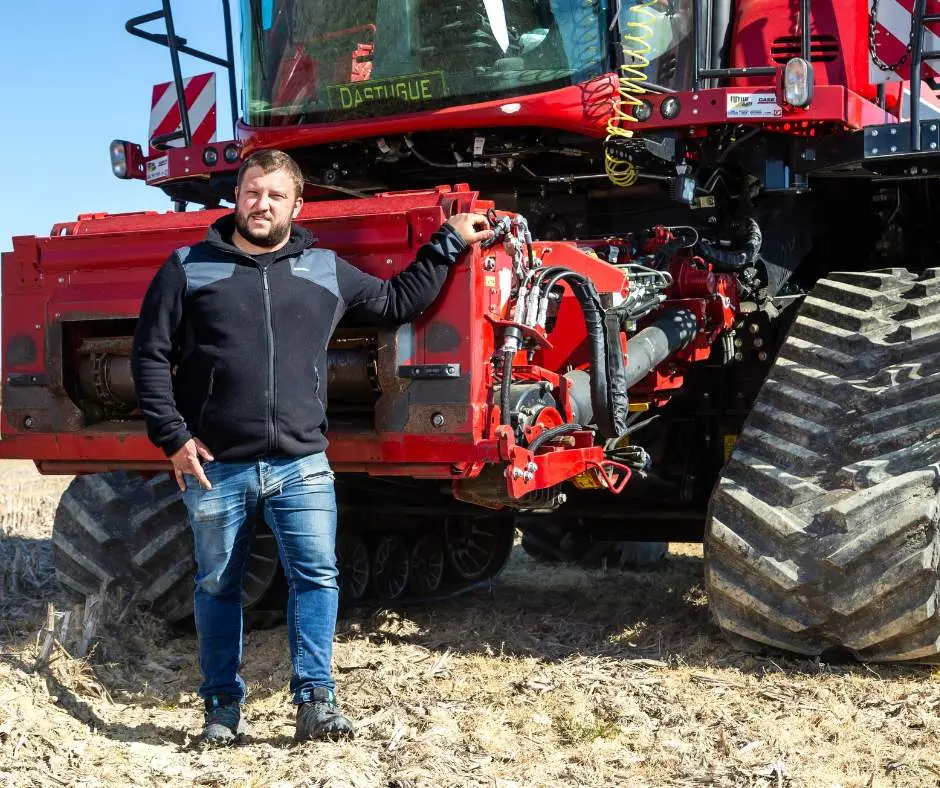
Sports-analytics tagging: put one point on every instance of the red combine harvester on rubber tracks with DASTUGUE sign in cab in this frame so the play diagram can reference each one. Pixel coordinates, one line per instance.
(712, 312)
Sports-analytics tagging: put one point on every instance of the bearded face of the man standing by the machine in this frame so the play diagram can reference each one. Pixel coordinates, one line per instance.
(265, 204)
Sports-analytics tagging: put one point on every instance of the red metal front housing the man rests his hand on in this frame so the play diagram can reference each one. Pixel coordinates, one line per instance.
(98, 267)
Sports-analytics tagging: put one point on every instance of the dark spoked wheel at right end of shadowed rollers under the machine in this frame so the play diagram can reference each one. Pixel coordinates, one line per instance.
(477, 547)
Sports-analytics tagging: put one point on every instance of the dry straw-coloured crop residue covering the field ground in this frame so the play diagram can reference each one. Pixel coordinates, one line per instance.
(552, 677)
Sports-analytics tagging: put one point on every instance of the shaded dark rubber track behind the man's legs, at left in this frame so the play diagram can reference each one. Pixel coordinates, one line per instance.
(133, 532)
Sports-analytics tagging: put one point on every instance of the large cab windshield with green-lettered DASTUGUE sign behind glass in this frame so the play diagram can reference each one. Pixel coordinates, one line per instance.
(328, 60)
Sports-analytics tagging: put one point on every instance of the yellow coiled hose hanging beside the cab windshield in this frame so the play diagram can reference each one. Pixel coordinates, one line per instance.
(636, 46)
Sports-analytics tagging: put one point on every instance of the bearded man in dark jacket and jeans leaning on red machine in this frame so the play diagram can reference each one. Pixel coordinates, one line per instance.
(230, 366)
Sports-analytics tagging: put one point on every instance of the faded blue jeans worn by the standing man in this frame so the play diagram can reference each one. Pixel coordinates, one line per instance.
(297, 498)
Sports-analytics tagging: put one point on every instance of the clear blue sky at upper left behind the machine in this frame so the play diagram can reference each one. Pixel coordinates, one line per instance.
(72, 80)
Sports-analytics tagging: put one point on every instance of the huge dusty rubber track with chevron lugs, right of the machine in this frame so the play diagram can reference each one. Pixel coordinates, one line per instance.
(822, 532)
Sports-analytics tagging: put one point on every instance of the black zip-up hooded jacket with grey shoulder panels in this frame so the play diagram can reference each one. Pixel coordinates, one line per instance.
(247, 338)
